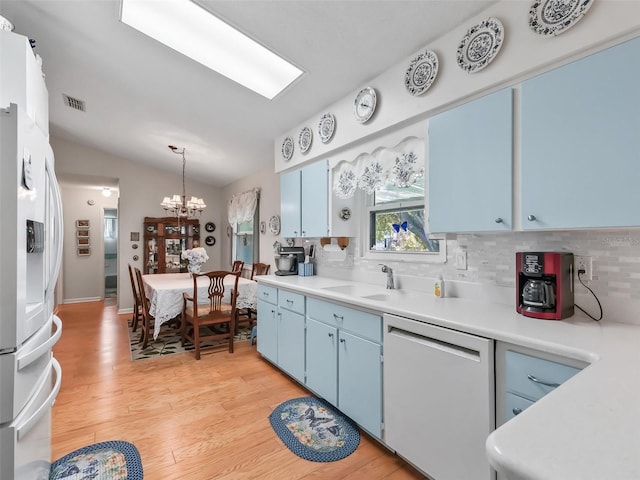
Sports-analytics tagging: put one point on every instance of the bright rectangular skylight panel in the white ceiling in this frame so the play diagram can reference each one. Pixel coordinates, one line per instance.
(193, 31)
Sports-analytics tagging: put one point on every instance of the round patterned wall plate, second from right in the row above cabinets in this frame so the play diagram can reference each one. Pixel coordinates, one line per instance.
(480, 45)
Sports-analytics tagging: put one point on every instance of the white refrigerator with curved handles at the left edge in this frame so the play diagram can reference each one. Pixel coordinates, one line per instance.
(30, 254)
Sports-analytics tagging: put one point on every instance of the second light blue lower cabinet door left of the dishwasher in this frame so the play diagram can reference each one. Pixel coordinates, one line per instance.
(322, 360)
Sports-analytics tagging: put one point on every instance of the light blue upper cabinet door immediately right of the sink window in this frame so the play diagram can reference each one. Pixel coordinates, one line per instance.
(470, 166)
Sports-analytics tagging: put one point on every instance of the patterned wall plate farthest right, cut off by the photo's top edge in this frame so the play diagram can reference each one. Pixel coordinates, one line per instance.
(552, 17)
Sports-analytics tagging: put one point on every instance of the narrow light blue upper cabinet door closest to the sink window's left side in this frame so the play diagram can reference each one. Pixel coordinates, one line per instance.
(315, 195)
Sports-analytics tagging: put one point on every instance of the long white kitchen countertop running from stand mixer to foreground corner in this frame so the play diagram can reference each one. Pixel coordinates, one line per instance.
(589, 428)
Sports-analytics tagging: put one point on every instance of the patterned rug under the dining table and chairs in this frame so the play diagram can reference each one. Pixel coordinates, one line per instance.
(168, 343)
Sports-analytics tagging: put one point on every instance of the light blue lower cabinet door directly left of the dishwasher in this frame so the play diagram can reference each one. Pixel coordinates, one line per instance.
(360, 381)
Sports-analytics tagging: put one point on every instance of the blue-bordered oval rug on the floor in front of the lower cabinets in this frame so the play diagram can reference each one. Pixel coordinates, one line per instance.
(314, 430)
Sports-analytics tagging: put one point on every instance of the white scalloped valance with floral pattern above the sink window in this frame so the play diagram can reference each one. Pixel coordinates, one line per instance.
(401, 165)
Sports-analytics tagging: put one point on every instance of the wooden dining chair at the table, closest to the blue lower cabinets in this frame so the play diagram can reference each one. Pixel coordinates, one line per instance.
(209, 319)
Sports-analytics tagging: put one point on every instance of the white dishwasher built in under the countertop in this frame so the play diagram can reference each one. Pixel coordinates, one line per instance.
(438, 398)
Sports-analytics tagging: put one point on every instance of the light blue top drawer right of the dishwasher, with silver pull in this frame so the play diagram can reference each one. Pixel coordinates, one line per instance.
(533, 377)
